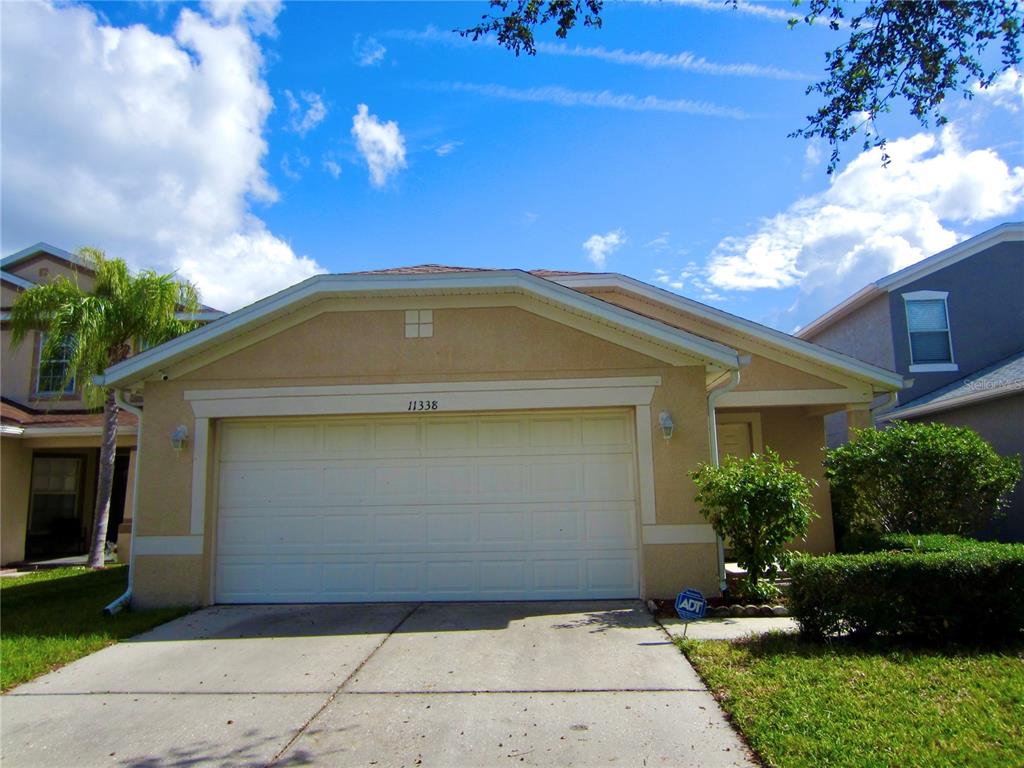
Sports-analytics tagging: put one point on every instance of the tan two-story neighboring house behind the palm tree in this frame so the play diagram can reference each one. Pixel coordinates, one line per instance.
(50, 442)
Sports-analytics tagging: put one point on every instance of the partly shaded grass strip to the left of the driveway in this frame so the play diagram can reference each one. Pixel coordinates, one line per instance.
(51, 618)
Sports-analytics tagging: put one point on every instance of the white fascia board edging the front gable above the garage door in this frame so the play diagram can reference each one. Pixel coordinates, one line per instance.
(325, 286)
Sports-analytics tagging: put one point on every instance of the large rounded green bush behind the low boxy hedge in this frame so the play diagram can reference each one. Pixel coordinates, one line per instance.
(920, 479)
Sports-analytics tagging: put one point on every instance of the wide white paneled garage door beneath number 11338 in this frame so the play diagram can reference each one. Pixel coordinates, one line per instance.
(488, 507)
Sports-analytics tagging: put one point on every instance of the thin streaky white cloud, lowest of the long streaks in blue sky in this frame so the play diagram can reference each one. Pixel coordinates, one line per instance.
(557, 95)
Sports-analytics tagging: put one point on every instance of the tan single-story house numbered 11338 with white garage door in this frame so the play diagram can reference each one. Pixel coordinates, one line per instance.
(440, 434)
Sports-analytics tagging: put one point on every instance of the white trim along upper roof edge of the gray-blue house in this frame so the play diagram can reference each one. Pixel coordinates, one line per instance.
(1010, 232)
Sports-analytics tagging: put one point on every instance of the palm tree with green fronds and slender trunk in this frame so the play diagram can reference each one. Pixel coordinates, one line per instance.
(100, 328)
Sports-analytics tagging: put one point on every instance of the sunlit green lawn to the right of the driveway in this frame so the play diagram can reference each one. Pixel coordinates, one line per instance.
(802, 704)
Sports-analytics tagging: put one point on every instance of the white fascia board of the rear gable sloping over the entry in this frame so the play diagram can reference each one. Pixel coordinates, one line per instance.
(886, 380)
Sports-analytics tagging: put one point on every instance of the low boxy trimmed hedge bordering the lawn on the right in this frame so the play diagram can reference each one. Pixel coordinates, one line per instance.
(973, 592)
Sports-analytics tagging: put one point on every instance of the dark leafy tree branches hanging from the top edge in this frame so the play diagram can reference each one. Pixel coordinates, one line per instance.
(920, 52)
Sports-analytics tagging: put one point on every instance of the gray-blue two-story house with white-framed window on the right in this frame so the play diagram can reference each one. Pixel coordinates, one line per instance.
(954, 323)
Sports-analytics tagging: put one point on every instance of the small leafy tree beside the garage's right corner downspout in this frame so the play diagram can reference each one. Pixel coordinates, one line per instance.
(759, 504)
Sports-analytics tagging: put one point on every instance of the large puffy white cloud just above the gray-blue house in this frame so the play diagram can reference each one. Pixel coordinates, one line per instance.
(871, 222)
